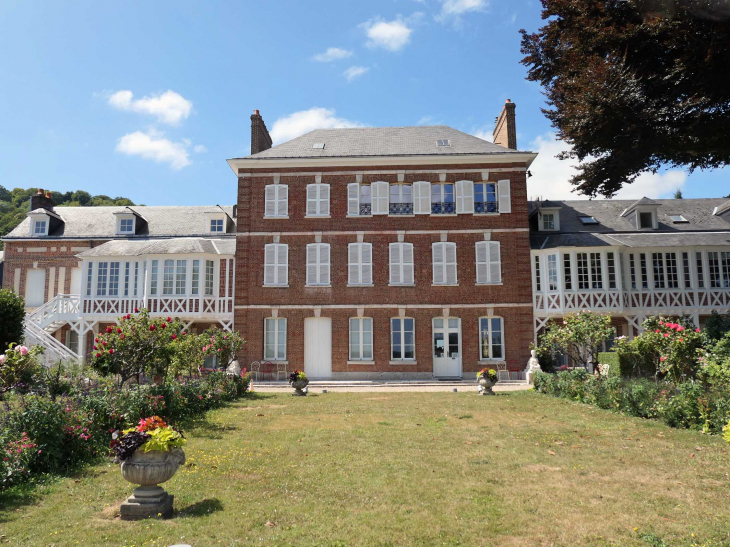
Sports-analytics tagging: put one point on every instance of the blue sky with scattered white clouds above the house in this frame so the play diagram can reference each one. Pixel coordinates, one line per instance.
(148, 99)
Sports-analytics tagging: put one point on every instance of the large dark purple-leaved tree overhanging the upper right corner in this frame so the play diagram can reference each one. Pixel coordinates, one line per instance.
(634, 85)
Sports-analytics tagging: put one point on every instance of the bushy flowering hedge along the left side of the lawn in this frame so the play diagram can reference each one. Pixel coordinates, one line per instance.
(40, 436)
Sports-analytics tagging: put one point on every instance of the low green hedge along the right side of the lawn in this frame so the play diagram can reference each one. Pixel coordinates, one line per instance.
(688, 405)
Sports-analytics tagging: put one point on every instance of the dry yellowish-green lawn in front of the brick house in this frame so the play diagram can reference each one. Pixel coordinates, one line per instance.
(406, 469)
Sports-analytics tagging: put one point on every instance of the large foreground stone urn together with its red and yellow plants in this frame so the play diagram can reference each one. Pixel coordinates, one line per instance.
(150, 454)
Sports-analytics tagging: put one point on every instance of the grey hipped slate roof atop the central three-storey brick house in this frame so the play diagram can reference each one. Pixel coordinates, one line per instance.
(382, 141)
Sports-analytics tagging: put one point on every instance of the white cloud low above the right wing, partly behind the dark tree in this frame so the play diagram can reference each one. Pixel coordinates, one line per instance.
(551, 178)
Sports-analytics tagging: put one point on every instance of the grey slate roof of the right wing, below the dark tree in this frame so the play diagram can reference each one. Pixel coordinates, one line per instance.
(613, 229)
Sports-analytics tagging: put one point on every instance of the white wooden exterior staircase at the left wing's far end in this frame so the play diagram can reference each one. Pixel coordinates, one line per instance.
(42, 322)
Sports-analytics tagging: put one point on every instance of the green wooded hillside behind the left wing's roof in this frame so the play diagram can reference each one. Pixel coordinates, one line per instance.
(15, 204)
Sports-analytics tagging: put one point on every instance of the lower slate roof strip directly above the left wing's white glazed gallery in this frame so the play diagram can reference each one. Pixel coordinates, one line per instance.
(178, 245)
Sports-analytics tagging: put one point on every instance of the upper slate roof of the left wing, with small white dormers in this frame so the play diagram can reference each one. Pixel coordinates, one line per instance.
(100, 222)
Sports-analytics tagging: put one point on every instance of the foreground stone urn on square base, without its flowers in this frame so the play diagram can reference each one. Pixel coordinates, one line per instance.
(149, 470)
